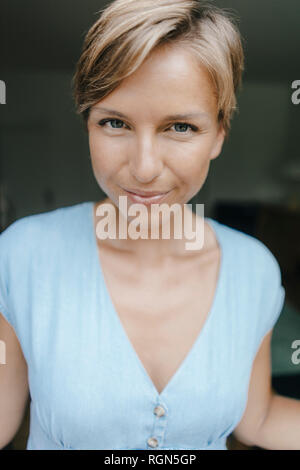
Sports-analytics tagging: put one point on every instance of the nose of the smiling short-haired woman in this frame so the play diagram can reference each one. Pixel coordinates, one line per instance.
(146, 162)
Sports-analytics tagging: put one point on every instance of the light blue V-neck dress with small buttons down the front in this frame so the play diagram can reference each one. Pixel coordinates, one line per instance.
(88, 387)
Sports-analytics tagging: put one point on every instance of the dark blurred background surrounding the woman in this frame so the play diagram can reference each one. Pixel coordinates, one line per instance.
(254, 185)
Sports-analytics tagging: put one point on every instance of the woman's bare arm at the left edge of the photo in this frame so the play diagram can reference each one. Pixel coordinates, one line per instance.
(14, 389)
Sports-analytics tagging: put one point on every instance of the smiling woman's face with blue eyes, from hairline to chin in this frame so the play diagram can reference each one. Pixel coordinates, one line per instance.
(136, 144)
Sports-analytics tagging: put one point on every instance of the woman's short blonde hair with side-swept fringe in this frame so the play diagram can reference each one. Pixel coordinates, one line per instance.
(128, 30)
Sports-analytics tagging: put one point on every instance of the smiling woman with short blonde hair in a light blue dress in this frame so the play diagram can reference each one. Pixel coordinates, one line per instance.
(139, 343)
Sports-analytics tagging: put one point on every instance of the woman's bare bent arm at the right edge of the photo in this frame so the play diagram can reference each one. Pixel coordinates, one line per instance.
(270, 421)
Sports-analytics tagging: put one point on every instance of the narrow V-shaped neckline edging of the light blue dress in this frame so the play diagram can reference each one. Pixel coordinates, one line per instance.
(204, 328)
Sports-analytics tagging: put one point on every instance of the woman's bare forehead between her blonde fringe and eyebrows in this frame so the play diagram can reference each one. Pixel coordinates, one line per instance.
(171, 76)
